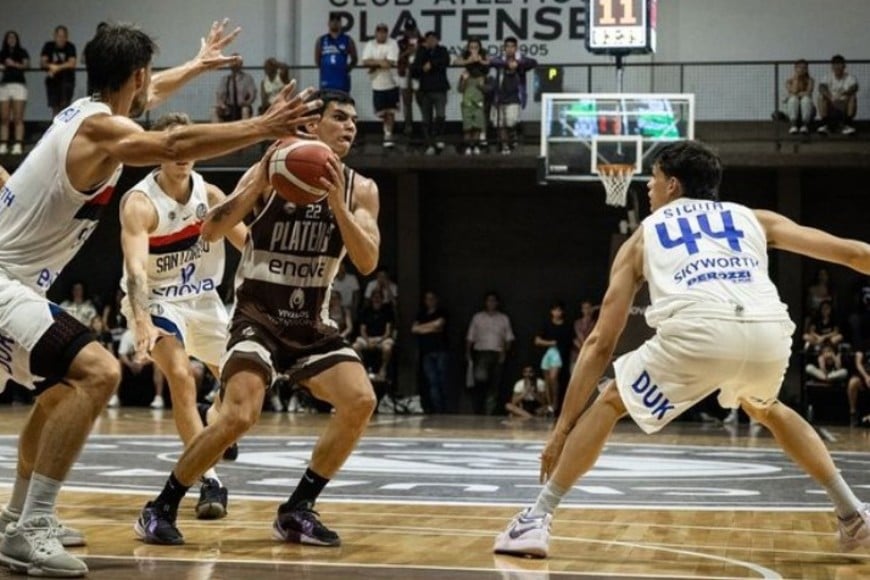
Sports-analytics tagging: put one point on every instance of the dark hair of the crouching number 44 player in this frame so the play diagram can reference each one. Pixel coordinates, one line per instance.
(694, 165)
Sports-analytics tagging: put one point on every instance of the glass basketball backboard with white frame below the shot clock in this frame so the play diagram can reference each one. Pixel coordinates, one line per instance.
(579, 131)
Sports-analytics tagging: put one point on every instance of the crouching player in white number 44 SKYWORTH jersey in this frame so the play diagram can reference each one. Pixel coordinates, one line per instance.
(720, 323)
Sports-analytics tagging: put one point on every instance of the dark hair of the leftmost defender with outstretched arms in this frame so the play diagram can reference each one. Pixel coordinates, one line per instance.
(114, 54)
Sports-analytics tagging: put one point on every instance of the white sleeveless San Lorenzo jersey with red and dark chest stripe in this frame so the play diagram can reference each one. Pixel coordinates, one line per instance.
(181, 265)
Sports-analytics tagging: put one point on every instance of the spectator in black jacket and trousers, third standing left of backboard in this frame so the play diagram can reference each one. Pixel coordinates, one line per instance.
(430, 68)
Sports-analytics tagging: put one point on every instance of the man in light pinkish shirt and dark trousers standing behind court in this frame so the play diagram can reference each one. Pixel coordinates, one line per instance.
(487, 343)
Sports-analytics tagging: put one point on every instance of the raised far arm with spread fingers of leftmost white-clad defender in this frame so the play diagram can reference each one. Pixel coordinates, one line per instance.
(210, 56)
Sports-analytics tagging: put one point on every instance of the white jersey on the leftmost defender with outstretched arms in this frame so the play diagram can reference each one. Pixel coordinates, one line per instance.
(43, 219)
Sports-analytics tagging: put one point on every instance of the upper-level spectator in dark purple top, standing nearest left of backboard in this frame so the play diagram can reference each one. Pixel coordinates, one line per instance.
(510, 91)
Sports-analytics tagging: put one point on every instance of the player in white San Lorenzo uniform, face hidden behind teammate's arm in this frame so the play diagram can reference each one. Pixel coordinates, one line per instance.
(164, 255)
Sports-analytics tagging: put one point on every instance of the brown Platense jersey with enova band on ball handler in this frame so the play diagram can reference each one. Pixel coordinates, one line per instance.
(285, 276)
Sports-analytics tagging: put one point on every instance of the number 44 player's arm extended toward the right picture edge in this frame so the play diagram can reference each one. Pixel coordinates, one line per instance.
(784, 234)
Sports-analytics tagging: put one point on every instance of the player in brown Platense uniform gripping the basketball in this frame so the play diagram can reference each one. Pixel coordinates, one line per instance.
(281, 325)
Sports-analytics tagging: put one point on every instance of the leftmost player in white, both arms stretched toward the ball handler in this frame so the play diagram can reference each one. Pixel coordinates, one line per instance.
(48, 209)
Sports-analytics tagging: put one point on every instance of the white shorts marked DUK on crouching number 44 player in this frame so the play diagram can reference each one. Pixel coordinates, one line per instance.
(689, 358)
